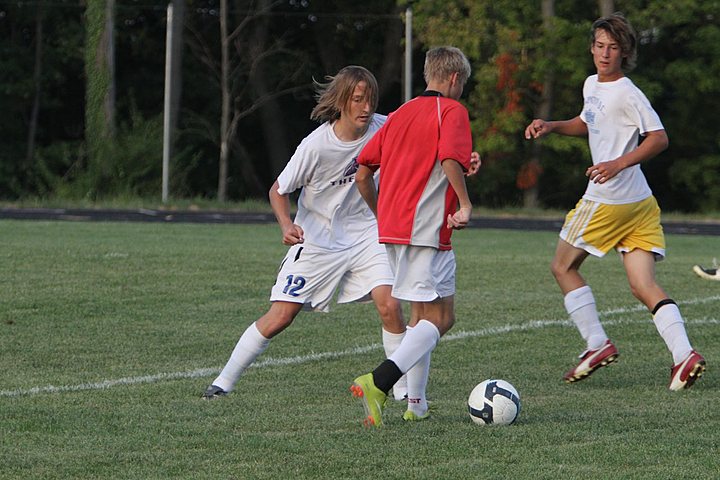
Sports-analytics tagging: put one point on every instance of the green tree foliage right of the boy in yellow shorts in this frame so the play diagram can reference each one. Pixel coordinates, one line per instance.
(678, 67)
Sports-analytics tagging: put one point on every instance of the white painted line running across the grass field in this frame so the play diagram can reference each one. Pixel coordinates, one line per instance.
(312, 357)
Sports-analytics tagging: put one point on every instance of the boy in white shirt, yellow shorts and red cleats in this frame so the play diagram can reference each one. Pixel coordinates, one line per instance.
(618, 209)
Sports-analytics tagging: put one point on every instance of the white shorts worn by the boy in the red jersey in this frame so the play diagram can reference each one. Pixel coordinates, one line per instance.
(422, 274)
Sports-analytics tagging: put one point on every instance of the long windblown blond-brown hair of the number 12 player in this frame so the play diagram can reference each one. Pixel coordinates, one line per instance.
(334, 95)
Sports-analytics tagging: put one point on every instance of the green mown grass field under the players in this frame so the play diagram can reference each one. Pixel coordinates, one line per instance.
(110, 332)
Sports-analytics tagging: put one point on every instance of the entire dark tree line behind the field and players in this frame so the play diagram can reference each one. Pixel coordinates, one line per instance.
(83, 86)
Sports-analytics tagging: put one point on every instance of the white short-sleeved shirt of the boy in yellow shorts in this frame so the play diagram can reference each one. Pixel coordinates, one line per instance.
(616, 114)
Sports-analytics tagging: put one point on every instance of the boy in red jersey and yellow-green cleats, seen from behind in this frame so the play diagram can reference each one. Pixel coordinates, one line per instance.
(423, 152)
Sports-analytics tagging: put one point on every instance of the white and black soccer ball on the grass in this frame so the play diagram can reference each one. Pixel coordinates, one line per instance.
(494, 402)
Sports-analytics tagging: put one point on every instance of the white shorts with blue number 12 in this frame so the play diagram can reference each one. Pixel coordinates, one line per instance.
(311, 276)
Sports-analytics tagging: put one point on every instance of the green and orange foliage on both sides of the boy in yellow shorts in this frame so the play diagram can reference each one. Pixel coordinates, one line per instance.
(512, 54)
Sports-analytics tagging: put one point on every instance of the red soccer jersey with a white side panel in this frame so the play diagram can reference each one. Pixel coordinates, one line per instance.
(415, 197)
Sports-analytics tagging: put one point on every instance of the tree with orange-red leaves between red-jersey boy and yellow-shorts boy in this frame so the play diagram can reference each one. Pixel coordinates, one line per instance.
(513, 79)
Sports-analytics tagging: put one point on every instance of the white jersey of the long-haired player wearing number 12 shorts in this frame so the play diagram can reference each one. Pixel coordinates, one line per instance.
(330, 209)
